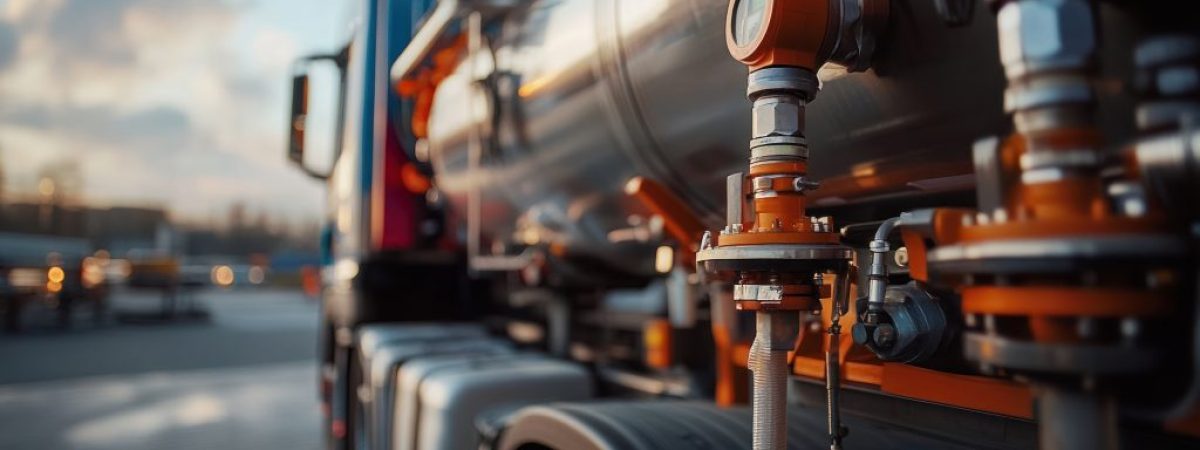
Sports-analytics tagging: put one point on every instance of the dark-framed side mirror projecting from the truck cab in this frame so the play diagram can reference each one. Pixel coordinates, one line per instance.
(315, 123)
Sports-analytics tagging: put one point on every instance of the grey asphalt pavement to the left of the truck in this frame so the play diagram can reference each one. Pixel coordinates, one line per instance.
(241, 376)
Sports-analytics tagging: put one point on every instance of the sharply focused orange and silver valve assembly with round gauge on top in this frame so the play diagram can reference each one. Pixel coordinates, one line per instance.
(778, 255)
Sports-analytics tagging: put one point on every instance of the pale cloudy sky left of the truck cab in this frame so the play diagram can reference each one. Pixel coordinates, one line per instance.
(170, 104)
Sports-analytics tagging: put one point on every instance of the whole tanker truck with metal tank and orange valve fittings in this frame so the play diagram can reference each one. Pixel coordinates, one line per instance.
(759, 224)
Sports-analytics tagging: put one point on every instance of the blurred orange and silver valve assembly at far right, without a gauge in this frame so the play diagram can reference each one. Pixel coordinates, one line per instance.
(1060, 277)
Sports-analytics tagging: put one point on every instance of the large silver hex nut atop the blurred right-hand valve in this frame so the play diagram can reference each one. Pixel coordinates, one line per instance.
(1043, 35)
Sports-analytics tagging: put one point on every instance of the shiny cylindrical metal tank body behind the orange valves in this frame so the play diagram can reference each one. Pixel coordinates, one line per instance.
(574, 98)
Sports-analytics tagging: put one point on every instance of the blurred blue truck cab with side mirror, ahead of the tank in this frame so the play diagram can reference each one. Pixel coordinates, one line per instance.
(383, 249)
